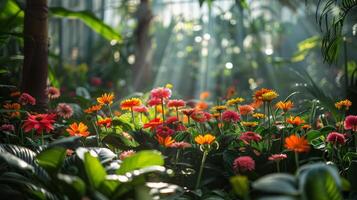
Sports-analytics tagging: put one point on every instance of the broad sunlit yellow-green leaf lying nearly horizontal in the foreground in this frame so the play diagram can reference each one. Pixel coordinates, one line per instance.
(140, 160)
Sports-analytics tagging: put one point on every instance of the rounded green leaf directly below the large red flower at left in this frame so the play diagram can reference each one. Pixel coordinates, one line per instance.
(51, 159)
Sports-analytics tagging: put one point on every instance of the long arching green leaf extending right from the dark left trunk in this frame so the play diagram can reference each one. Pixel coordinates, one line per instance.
(90, 20)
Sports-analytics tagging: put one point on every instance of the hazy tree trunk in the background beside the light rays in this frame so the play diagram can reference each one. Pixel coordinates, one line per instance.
(142, 65)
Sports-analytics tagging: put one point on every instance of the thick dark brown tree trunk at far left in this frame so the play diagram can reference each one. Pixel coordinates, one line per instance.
(35, 67)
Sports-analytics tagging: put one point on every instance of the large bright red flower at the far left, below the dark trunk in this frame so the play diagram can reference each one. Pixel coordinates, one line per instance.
(39, 122)
